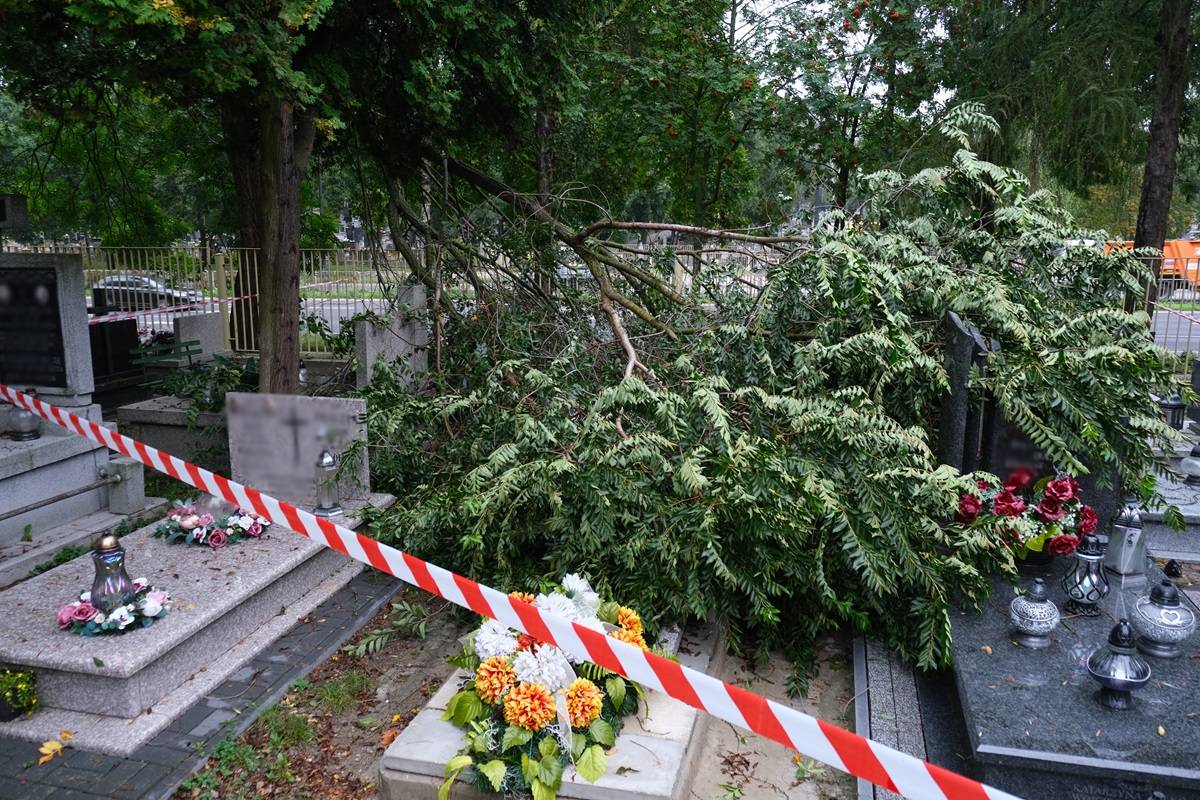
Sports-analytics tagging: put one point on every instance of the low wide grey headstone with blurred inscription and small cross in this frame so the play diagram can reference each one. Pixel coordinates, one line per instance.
(275, 441)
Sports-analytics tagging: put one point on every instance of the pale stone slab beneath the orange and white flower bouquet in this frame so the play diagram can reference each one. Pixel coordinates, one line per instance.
(652, 760)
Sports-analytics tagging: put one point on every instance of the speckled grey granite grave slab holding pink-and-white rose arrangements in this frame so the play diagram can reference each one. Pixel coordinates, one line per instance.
(117, 691)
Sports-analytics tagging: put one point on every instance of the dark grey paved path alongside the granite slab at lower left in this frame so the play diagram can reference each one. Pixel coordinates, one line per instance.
(157, 769)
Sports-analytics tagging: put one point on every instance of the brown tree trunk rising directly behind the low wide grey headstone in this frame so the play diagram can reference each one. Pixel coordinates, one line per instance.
(286, 143)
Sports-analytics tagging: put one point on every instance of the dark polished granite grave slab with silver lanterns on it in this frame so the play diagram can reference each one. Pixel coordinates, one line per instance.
(1036, 730)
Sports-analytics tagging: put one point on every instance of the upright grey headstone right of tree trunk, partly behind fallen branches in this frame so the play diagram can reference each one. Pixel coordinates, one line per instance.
(403, 341)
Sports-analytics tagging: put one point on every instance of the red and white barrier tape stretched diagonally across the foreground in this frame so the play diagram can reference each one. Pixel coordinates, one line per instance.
(806, 735)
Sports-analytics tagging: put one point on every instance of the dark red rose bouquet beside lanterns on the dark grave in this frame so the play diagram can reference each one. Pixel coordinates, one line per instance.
(1046, 515)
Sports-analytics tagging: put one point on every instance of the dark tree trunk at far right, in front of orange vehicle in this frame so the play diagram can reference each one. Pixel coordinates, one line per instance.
(1174, 41)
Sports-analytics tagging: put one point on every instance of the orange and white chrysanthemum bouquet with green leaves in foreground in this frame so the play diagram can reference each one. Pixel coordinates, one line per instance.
(529, 712)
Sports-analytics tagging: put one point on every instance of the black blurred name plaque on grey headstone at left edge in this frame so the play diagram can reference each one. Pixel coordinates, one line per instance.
(32, 352)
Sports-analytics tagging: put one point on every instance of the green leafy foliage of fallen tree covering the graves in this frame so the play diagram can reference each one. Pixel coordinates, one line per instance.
(778, 471)
